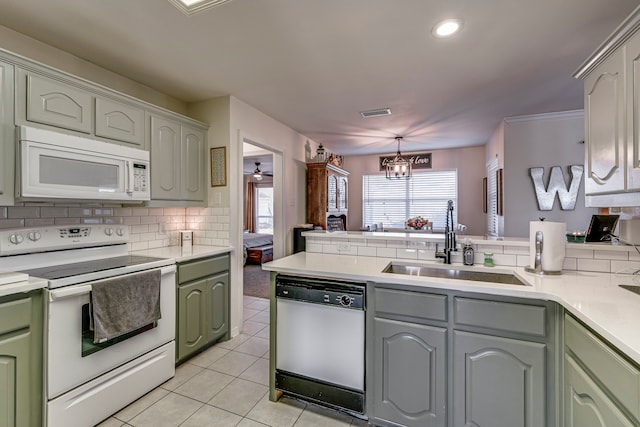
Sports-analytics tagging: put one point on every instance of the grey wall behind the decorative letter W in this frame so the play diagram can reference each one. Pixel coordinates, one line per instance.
(543, 140)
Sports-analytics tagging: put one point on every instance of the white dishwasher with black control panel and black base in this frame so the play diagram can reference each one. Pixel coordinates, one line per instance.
(320, 337)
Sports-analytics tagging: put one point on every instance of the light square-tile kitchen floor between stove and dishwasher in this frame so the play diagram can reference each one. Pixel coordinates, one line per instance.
(227, 385)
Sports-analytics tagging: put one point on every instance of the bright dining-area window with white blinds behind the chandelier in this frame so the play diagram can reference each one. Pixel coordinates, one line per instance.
(392, 202)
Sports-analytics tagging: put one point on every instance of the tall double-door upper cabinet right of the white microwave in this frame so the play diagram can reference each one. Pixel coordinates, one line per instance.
(178, 154)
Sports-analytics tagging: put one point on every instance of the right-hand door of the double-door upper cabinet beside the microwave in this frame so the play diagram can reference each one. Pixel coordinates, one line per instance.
(192, 165)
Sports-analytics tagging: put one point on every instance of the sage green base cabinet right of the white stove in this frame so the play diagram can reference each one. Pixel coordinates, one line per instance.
(202, 304)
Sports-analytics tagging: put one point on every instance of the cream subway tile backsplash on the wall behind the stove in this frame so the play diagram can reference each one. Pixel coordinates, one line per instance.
(149, 227)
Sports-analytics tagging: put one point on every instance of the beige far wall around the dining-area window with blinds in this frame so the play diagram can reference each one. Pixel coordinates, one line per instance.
(471, 169)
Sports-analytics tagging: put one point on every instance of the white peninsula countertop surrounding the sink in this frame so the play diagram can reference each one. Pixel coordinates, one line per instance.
(594, 298)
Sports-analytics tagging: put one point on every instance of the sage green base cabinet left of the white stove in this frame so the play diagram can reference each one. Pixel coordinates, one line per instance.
(21, 323)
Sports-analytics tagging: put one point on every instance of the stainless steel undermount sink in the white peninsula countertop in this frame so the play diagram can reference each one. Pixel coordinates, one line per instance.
(453, 273)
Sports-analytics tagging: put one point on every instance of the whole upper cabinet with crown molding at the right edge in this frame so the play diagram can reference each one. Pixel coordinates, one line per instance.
(612, 111)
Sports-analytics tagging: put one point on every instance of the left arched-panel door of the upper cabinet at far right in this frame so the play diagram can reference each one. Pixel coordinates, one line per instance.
(604, 110)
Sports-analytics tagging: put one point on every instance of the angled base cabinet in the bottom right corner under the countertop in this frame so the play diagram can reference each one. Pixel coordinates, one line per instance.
(601, 388)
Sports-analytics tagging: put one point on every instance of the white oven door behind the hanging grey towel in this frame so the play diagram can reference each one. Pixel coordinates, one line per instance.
(72, 359)
